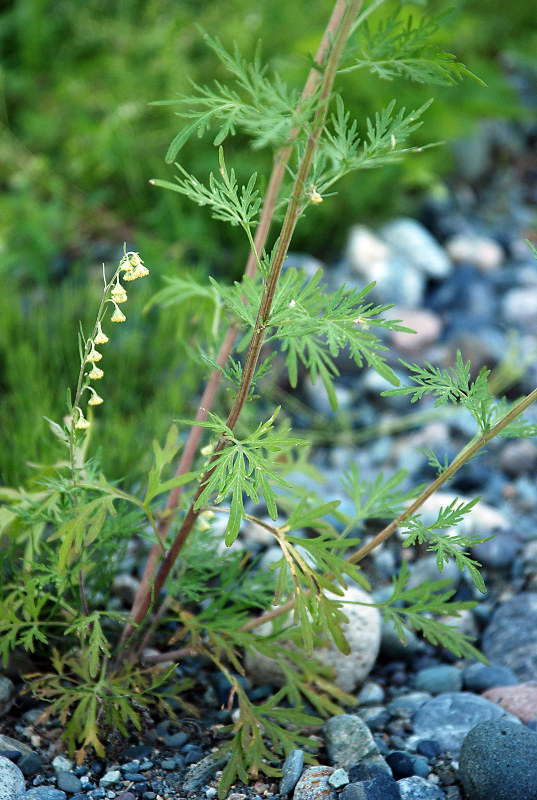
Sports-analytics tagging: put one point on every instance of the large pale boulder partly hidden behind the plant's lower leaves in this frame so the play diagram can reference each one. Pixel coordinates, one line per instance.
(362, 632)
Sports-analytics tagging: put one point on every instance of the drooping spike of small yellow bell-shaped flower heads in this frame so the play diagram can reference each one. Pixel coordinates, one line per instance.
(130, 268)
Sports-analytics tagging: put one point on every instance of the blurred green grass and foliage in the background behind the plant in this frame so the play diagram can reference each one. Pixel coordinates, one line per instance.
(79, 142)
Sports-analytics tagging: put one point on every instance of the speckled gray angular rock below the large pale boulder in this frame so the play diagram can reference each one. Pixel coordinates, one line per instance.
(348, 741)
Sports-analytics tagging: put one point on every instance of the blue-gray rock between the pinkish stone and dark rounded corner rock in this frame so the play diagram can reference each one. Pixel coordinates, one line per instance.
(448, 717)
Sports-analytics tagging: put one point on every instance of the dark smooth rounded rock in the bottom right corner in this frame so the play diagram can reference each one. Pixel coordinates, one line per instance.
(498, 761)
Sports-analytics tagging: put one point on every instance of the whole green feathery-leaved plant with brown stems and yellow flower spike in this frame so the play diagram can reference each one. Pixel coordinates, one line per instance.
(74, 518)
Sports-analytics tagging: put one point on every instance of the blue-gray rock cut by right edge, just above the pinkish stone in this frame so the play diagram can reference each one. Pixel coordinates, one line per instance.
(510, 639)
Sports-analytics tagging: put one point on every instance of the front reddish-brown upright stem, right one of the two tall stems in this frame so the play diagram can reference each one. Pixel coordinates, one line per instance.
(293, 212)
